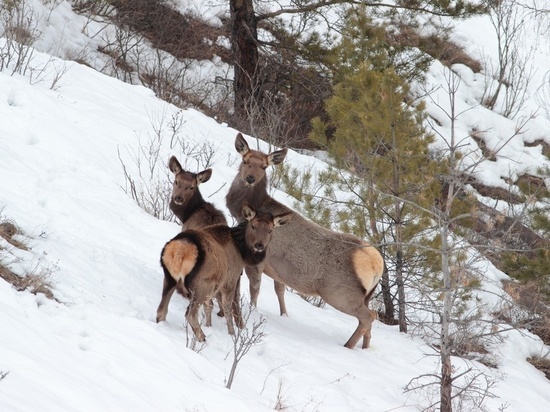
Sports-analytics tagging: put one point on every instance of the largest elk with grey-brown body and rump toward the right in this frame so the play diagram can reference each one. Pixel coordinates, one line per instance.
(340, 268)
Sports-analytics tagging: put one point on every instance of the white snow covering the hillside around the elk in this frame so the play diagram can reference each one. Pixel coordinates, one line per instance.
(98, 347)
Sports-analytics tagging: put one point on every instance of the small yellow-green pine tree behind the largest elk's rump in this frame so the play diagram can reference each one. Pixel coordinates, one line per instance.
(379, 138)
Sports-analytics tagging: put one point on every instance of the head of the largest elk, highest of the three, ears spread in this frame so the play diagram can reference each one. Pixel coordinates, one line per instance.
(254, 163)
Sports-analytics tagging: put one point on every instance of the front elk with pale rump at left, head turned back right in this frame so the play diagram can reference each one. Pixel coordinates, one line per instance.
(208, 262)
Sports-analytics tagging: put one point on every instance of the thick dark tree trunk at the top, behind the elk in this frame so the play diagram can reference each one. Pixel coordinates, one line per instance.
(244, 36)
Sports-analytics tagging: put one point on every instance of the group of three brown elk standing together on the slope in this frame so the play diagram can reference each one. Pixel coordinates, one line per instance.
(206, 259)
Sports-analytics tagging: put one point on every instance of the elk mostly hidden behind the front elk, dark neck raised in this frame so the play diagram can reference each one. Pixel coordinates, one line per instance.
(188, 205)
